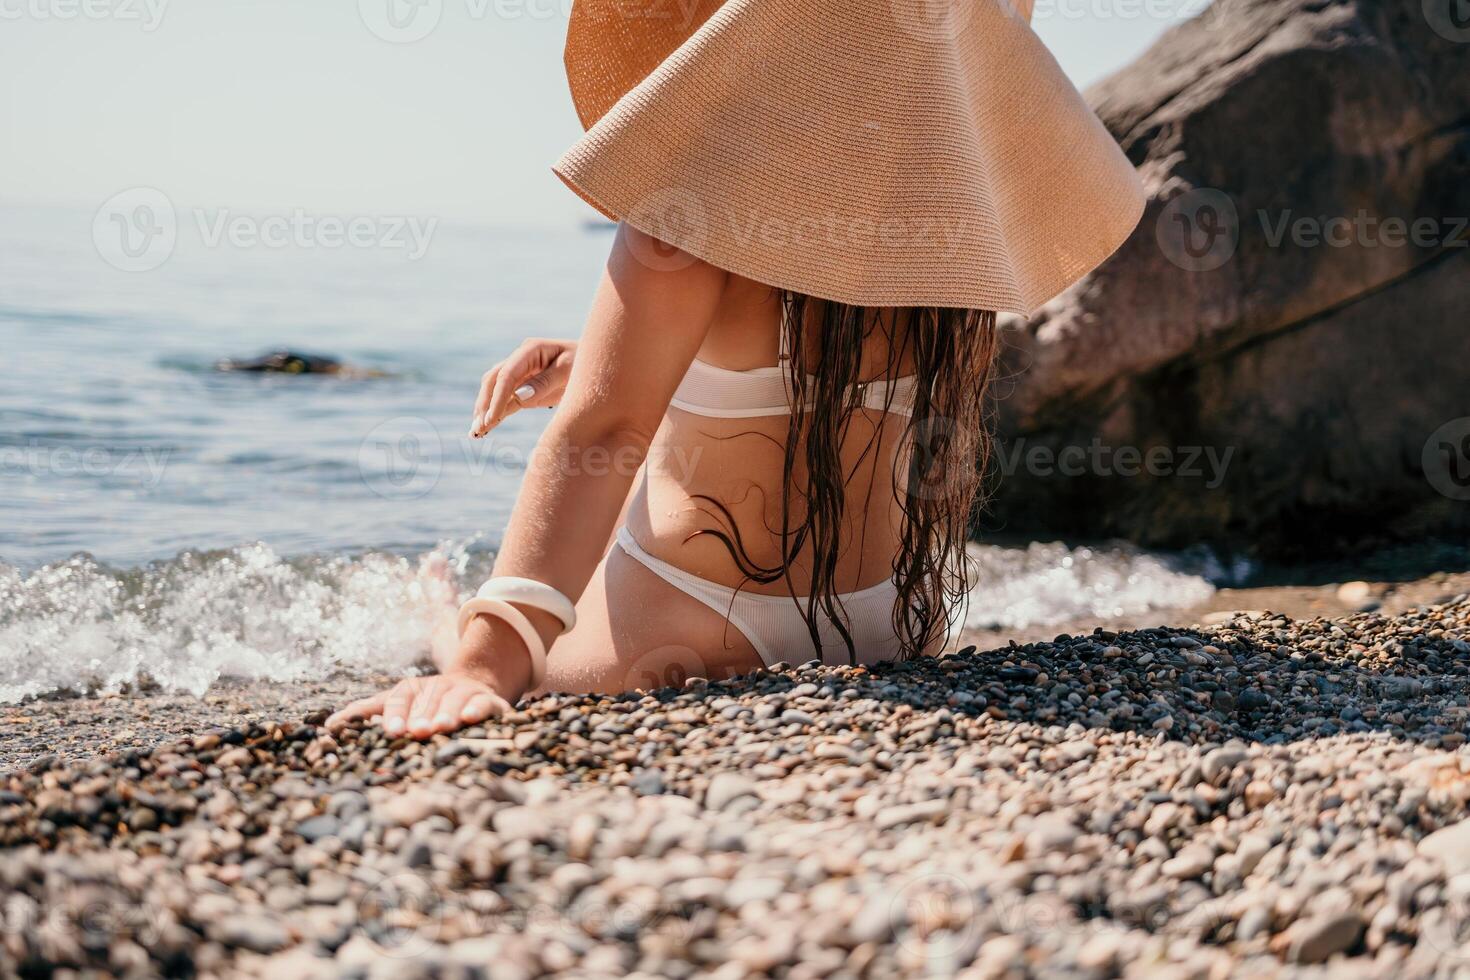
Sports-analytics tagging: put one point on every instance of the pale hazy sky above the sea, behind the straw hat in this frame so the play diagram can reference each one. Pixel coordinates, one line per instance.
(301, 104)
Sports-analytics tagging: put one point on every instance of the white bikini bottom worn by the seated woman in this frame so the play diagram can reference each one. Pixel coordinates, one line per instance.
(774, 624)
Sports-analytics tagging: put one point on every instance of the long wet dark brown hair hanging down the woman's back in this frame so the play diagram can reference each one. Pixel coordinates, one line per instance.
(943, 456)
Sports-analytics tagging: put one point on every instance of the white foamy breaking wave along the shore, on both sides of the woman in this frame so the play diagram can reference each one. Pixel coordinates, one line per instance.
(249, 613)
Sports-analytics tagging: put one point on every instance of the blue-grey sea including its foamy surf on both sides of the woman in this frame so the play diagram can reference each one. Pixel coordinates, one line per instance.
(165, 522)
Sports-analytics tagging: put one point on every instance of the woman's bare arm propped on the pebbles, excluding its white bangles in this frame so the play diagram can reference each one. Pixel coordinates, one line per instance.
(649, 321)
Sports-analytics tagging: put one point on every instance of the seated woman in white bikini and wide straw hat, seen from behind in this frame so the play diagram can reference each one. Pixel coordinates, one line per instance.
(770, 440)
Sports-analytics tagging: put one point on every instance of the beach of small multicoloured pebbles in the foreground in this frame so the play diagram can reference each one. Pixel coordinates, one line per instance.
(1261, 797)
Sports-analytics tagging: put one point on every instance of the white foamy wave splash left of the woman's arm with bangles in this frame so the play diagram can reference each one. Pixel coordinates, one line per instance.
(201, 618)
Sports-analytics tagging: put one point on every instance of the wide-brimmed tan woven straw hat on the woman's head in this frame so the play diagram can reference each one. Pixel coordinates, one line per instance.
(867, 152)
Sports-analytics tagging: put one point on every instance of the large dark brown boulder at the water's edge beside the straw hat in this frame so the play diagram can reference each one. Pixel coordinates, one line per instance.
(1312, 374)
